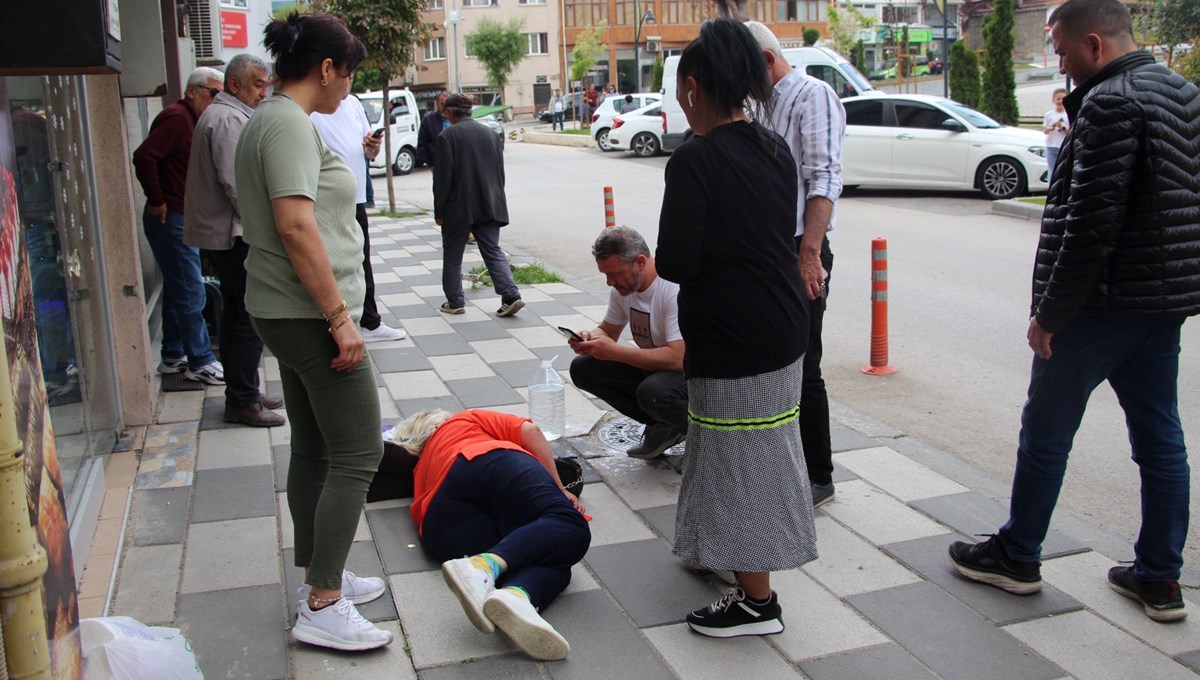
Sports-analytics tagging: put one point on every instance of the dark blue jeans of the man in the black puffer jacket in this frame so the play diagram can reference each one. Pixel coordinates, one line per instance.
(1141, 360)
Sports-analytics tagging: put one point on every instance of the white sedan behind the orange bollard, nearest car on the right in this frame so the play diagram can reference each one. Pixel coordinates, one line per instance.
(926, 142)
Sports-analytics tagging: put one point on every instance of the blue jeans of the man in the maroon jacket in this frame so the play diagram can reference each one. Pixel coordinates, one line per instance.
(184, 333)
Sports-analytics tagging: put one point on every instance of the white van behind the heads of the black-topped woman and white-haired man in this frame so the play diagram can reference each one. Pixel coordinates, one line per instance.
(818, 62)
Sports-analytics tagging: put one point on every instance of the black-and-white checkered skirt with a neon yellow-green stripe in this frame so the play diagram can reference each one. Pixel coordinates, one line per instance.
(746, 503)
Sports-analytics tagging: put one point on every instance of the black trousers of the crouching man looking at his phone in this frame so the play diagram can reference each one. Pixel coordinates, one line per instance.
(646, 396)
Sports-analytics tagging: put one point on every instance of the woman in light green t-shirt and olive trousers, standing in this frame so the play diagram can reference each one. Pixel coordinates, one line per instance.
(304, 270)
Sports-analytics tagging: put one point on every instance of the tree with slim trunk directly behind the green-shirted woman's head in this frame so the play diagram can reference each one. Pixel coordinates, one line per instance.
(391, 31)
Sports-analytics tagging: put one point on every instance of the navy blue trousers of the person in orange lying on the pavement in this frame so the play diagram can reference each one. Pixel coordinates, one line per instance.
(506, 503)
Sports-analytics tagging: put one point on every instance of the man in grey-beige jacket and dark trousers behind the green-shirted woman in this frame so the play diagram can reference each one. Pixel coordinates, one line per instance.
(213, 224)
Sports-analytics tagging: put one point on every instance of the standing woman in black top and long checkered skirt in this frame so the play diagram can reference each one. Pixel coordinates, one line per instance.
(727, 238)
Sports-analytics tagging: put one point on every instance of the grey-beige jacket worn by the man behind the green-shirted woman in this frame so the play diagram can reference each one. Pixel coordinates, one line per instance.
(211, 208)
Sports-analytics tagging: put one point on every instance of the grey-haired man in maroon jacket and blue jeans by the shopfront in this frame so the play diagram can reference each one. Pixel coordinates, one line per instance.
(161, 165)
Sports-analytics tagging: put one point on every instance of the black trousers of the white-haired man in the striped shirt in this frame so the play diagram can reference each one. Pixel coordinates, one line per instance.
(814, 399)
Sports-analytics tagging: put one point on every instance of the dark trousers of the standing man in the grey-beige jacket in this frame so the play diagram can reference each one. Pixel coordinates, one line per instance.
(242, 351)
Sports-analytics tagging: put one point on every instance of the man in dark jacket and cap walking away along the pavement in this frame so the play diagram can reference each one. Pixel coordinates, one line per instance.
(469, 200)
